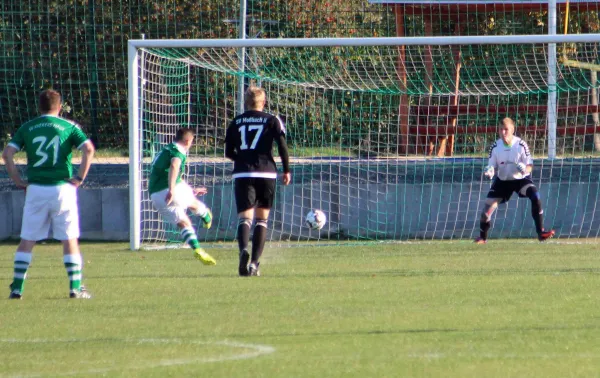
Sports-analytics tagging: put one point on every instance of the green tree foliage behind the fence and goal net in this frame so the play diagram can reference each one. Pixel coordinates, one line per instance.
(79, 47)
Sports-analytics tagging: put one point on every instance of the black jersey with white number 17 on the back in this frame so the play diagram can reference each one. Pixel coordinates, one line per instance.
(249, 143)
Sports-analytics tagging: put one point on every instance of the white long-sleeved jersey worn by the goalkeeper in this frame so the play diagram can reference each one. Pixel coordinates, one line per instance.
(505, 158)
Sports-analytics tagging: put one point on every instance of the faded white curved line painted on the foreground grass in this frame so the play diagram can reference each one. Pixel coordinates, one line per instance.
(256, 350)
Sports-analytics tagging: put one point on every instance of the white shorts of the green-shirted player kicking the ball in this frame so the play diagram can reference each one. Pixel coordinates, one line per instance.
(175, 212)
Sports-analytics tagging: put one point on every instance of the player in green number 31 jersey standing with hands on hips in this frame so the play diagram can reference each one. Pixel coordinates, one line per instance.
(51, 188)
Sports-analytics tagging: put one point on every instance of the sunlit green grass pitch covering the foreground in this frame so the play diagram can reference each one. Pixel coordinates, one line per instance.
(451, 309)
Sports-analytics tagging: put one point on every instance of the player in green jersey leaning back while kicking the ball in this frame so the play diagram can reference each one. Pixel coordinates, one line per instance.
(172, 196)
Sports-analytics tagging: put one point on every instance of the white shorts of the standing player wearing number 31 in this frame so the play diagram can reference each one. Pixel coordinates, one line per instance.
(47, 206)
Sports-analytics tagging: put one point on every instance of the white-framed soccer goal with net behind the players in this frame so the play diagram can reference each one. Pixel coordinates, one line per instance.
(388, 136)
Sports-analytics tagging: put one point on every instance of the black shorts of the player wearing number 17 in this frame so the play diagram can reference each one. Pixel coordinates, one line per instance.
(251, 192)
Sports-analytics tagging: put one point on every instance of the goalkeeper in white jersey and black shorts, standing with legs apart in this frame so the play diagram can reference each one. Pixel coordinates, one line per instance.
(511, 159)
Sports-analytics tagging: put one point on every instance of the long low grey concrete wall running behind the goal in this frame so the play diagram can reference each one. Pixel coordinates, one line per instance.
(375, 211)
